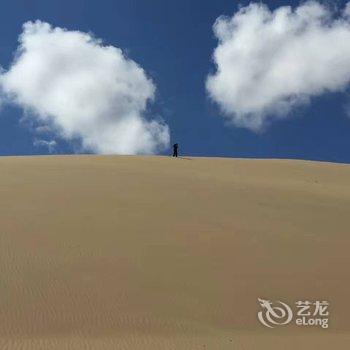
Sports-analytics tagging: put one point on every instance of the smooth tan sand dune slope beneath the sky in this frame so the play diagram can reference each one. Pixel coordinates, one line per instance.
(162, 253)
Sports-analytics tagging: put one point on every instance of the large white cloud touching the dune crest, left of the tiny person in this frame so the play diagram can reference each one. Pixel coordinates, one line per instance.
(69, 81)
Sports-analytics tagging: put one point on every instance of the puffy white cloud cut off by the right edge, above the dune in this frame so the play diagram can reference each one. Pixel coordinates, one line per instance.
(267, 62)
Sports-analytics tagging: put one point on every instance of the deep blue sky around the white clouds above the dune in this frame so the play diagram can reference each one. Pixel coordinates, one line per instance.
(174, 42)
